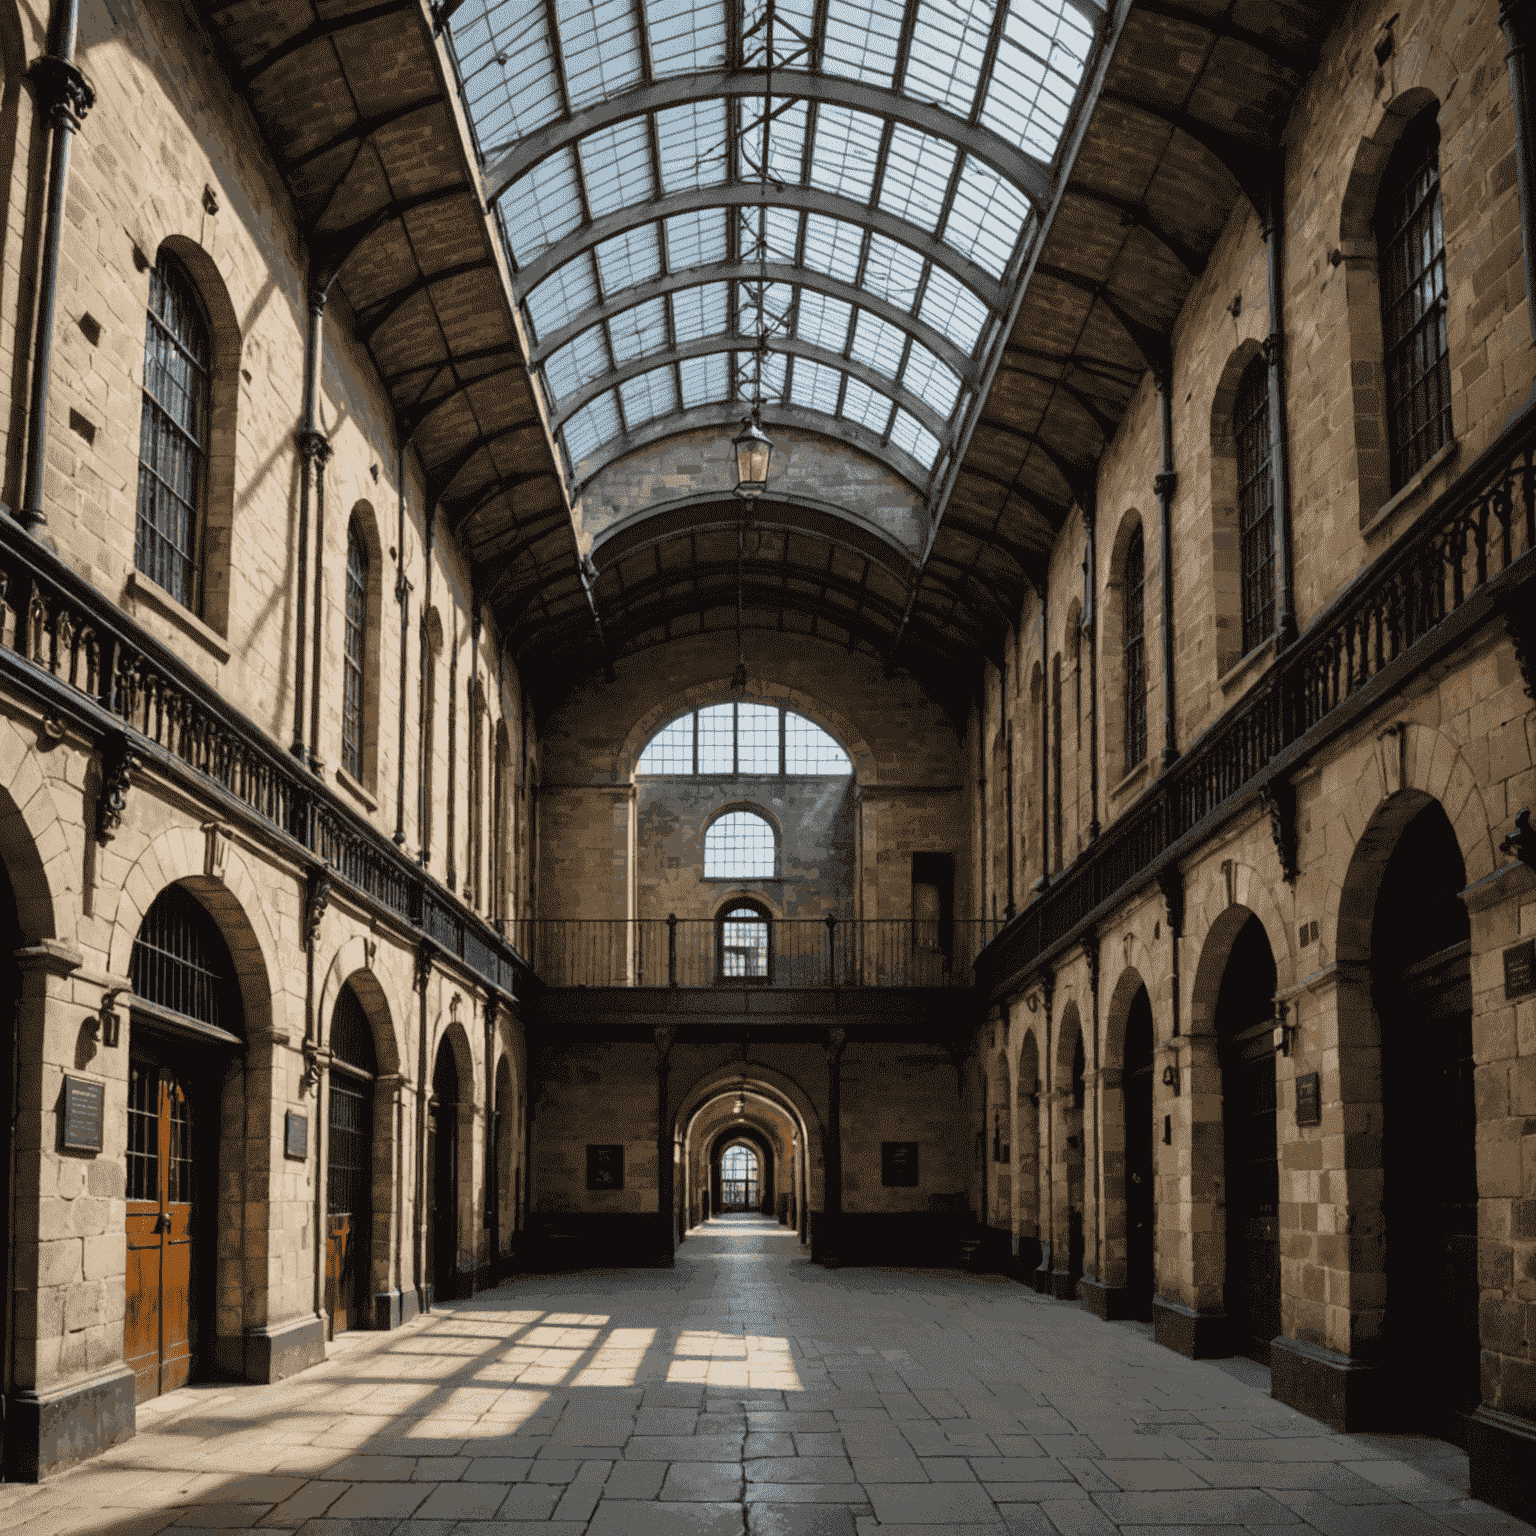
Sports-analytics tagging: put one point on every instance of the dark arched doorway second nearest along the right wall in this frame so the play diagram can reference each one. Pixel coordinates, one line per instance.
(1246, 1047)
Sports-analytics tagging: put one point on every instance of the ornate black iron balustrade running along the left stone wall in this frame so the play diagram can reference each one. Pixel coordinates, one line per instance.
(82, 660)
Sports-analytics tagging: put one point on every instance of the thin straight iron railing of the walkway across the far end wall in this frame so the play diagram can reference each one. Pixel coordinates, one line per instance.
(798, 952)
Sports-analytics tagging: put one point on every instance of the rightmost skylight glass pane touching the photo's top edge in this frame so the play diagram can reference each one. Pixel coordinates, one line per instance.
(1041, 64)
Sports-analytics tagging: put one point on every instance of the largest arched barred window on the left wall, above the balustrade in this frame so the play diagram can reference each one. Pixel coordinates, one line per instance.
(173, 435)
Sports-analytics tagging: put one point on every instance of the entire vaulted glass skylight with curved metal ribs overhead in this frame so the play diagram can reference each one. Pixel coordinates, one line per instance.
(879, 248)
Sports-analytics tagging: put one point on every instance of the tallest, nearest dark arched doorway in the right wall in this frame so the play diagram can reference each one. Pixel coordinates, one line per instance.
(1422, 979)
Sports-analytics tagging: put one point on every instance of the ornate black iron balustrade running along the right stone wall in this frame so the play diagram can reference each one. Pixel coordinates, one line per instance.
(1469, 558)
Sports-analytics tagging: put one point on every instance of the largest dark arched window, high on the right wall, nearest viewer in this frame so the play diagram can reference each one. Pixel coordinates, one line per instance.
(1412, 251)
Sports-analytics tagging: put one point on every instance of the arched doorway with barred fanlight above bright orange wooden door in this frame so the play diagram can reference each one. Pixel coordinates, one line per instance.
(187, 1028)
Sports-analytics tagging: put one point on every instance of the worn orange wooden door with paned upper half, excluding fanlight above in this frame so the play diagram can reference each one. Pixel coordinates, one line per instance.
(161, 1325)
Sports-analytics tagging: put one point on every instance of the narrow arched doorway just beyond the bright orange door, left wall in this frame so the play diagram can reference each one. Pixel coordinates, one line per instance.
(349, 1167)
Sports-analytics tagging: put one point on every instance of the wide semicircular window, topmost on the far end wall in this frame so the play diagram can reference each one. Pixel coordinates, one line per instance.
(744, 740)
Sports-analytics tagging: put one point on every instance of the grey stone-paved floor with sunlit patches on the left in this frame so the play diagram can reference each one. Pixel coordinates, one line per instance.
(750, 1394)
